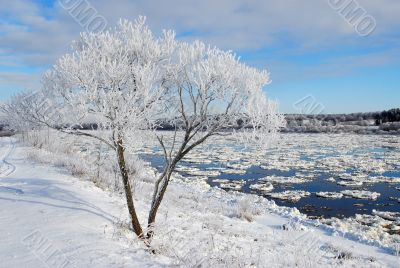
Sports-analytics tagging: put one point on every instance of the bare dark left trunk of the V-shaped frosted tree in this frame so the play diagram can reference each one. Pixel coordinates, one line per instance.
(128, 191)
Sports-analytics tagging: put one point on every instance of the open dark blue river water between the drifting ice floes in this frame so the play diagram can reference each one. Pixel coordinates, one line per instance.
(312, 205)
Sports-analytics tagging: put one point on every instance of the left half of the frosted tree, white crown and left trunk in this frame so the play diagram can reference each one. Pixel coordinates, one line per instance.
(114, 79)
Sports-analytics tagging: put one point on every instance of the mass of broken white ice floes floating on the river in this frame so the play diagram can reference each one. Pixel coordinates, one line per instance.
(353, 161)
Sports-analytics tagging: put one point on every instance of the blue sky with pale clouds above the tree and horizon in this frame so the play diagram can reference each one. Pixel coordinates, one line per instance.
(309, 48)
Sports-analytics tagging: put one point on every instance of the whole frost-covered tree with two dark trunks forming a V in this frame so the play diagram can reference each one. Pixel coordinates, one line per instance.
(126, 81)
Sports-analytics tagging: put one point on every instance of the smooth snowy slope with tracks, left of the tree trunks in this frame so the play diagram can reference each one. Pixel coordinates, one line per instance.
(49, 219)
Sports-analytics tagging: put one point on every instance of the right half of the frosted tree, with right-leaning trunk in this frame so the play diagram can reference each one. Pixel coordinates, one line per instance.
(209, 92)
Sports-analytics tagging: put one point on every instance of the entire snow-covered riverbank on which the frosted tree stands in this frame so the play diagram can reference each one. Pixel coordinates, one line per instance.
(49, 218)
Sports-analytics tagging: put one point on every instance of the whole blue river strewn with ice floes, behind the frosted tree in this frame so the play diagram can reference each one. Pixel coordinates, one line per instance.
(350, 176)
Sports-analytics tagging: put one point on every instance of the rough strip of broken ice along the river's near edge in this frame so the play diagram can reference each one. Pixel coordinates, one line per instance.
(349, 228)
